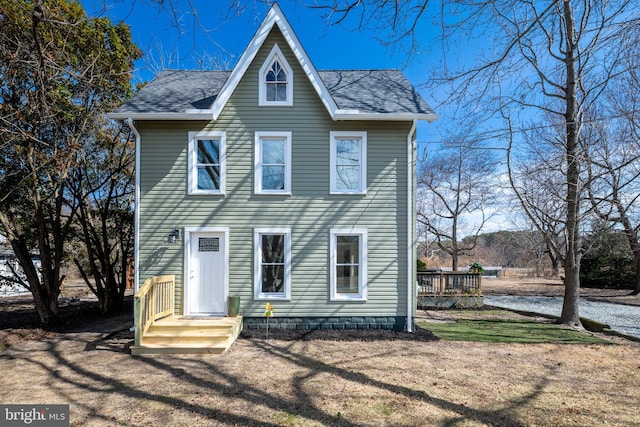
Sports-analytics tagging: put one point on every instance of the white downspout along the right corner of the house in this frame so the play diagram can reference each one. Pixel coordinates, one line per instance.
(411, 226)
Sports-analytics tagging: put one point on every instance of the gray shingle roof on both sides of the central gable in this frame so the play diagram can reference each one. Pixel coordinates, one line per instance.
(368, 91)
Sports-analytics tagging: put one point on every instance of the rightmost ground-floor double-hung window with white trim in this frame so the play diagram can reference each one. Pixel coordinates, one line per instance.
(348, 260)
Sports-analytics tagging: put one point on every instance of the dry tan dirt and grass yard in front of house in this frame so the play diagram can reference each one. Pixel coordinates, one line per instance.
(385, 380)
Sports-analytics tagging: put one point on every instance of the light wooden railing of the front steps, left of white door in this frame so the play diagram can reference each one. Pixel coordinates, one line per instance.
(154, 300)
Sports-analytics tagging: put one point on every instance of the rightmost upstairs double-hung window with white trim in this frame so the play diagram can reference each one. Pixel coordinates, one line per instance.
(348, 162)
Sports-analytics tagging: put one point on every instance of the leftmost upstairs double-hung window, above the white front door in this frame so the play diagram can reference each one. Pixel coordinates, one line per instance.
(207, 162)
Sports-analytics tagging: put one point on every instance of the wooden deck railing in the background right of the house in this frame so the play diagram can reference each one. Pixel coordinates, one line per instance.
(443, 283)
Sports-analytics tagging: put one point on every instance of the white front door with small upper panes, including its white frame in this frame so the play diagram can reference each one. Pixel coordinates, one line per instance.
(206, 264)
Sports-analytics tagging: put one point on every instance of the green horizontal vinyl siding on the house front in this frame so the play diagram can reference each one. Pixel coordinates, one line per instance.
(310, 211)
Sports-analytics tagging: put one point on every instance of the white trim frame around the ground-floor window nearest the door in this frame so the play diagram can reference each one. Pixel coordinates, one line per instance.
(257, 265)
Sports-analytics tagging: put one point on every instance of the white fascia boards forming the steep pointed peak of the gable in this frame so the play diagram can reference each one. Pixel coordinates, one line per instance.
(274, 17)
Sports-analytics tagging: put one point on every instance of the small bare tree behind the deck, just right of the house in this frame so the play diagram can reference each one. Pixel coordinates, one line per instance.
(455, 183)
